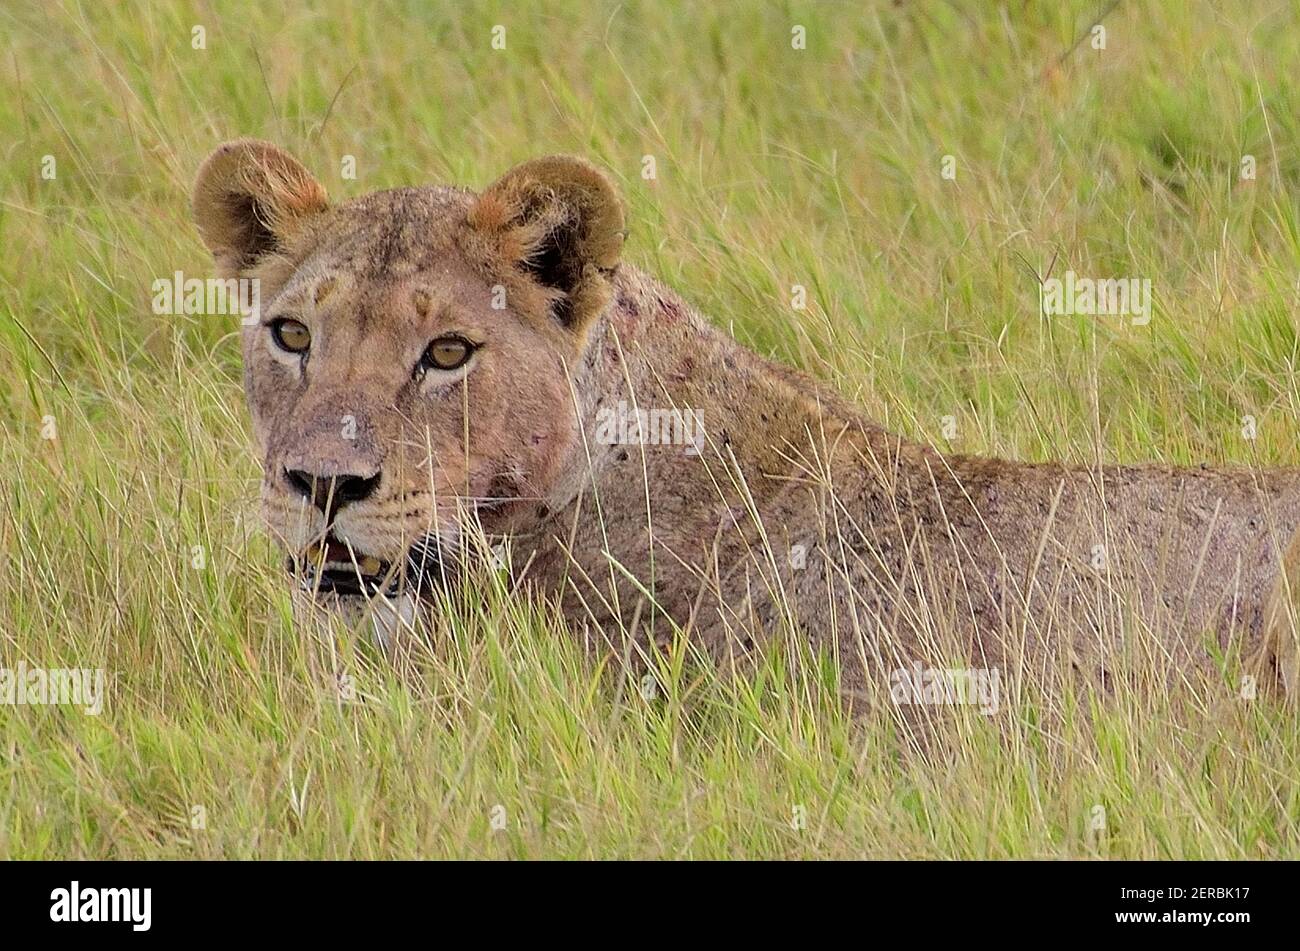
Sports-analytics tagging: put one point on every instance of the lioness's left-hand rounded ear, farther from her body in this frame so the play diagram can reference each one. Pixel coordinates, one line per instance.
(252, 199)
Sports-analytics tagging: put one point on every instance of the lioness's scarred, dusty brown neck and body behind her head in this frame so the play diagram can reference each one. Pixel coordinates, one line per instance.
(801, 515)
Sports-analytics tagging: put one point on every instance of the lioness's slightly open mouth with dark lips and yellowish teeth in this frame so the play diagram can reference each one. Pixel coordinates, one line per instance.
(335, 567)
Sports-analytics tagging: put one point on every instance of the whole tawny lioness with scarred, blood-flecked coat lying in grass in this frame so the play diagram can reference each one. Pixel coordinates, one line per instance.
(434, 366)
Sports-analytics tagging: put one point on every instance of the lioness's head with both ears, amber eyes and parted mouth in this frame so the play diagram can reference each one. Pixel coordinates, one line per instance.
(414, 361)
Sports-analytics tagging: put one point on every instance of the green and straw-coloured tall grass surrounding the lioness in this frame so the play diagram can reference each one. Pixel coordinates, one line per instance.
(820, 167)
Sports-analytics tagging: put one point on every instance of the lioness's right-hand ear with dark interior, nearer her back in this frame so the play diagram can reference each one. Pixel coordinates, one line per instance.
(558, 220)
